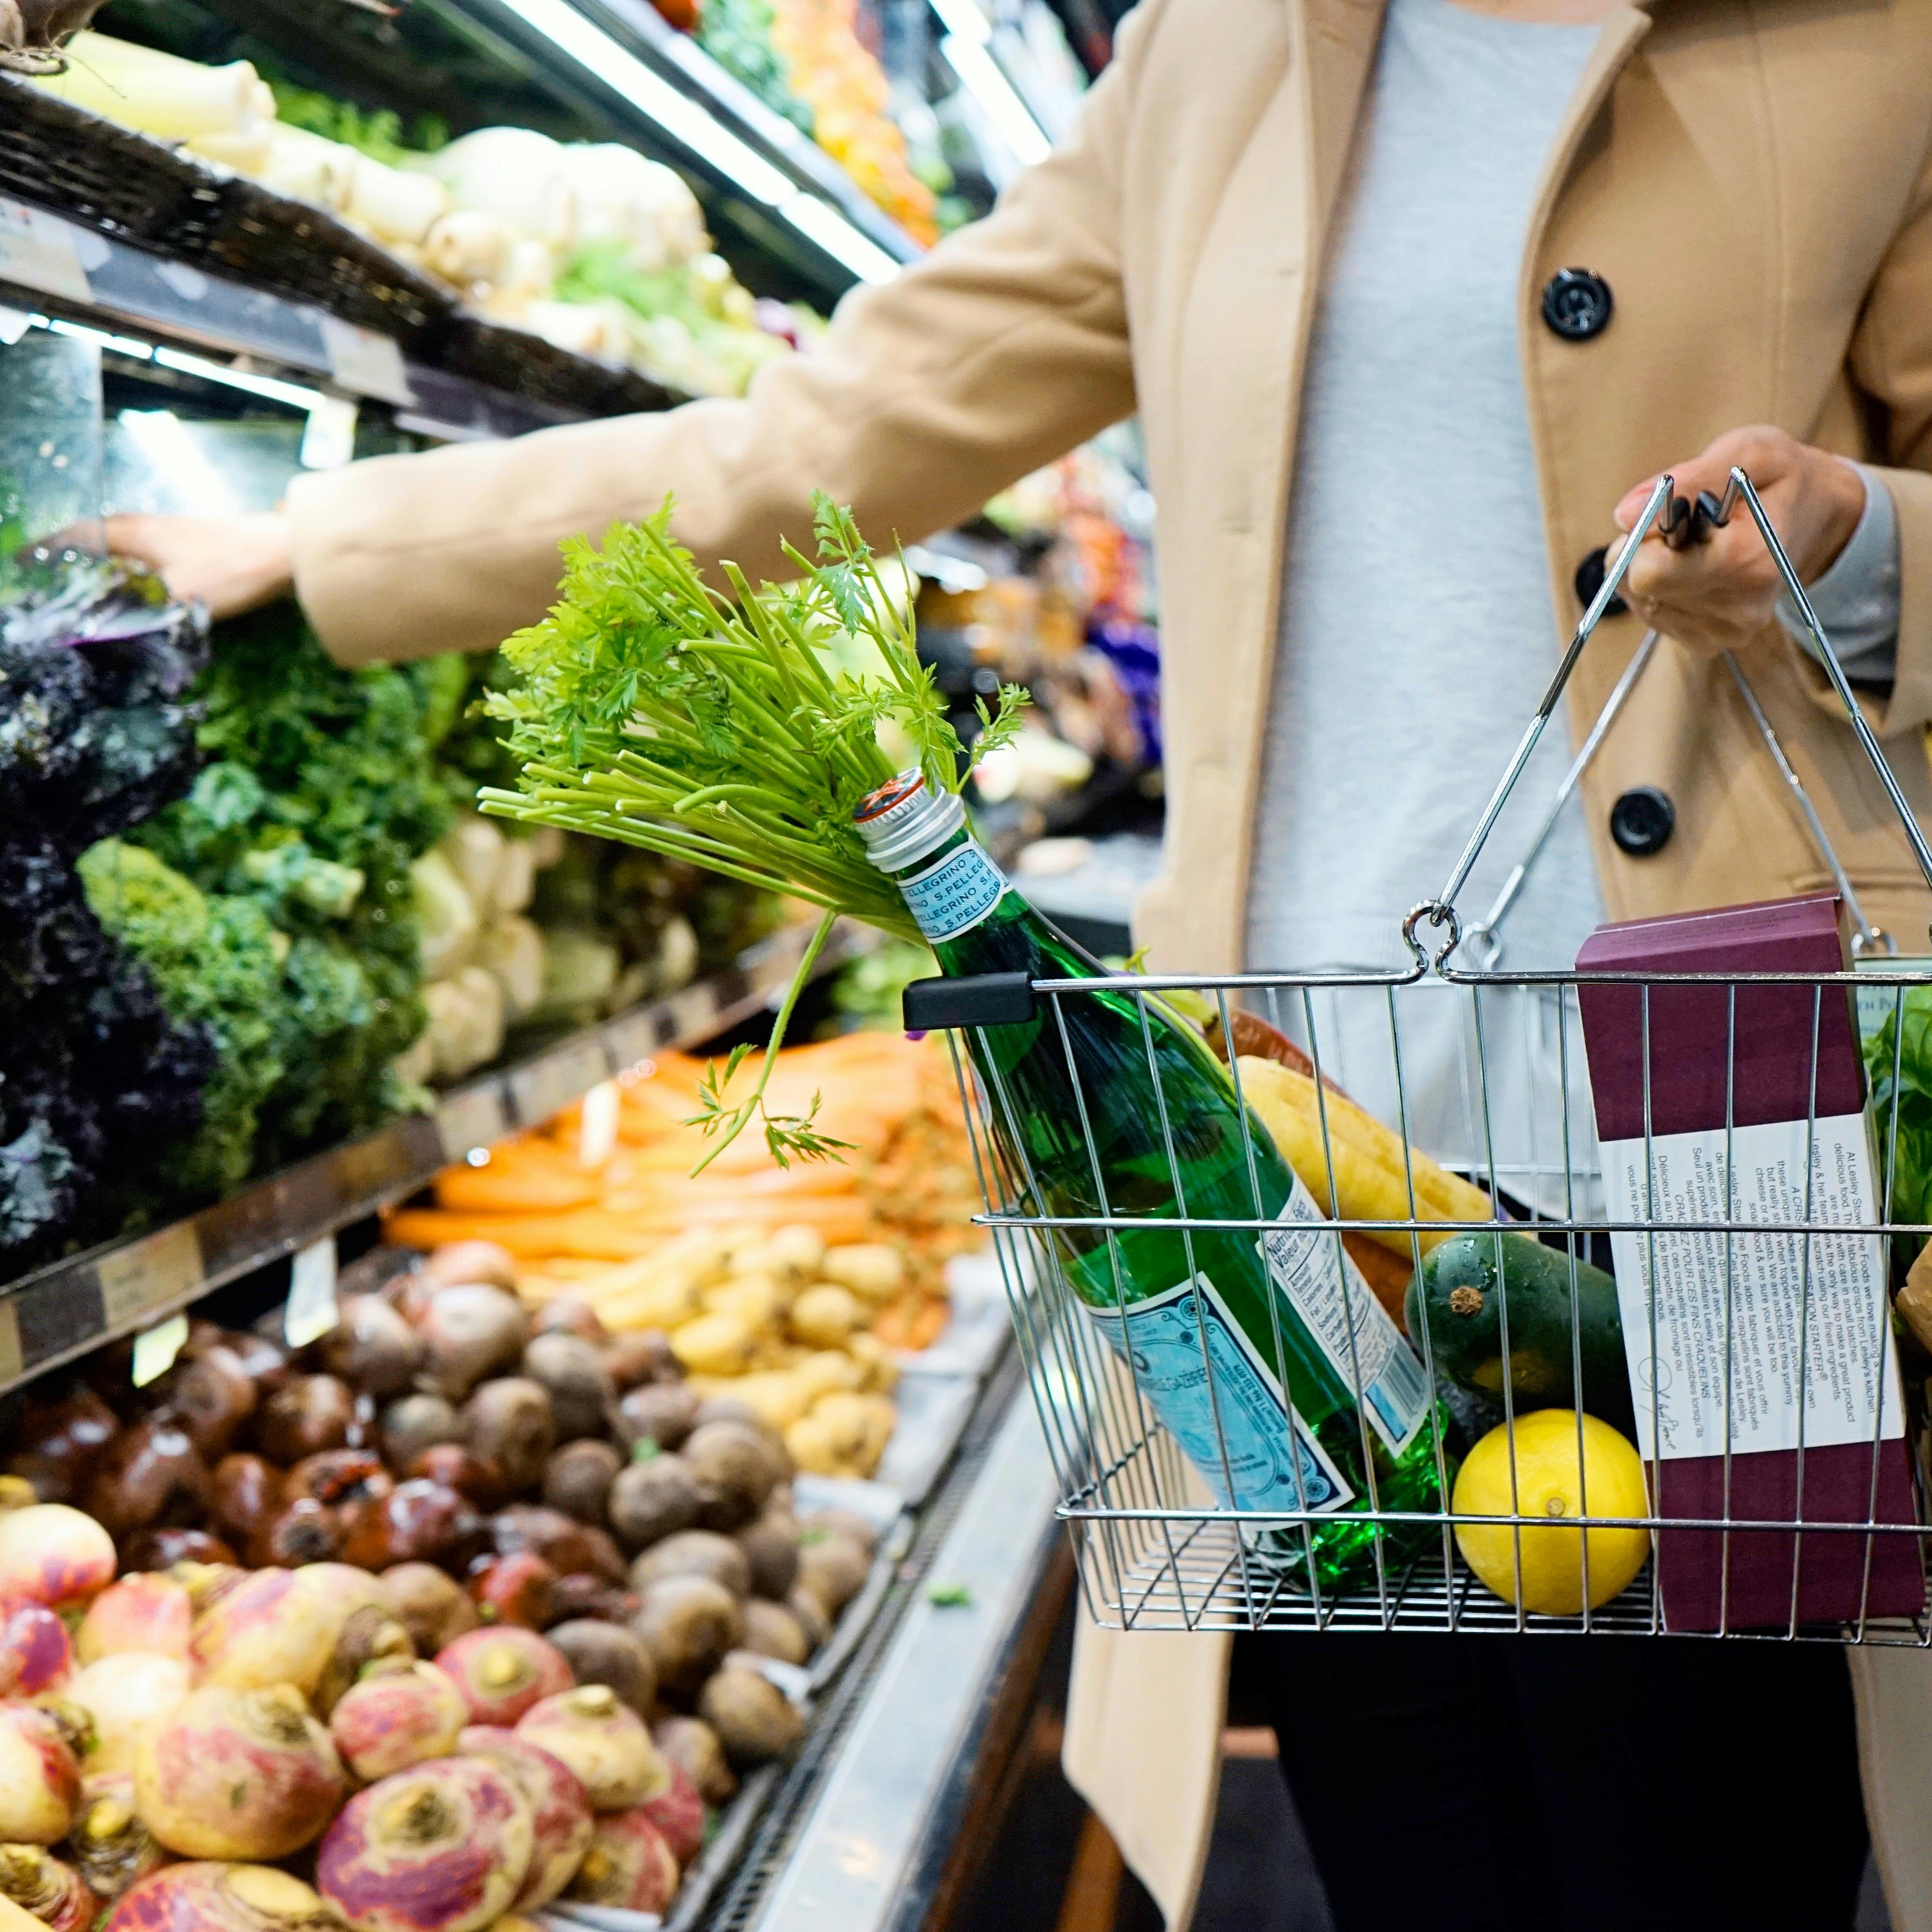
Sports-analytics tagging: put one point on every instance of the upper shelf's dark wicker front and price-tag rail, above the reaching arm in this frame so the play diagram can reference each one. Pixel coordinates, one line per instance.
(109, 227)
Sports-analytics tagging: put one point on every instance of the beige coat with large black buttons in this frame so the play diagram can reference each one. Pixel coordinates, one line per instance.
(1749, 177)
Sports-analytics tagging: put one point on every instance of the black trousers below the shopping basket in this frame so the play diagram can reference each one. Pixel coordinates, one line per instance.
(1568, 1784)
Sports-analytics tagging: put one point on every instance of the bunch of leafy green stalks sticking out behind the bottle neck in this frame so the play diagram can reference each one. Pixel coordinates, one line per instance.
(724, 729)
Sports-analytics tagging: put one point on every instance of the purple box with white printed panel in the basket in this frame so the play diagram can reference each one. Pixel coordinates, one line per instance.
(1773, 1344)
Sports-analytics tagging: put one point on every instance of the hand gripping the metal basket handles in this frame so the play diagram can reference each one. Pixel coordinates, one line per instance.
(1720, 594)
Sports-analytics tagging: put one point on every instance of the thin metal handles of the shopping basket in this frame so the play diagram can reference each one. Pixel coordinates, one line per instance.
(1680, 525)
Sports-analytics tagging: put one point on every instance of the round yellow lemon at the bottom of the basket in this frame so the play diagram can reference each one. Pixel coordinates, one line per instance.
(1552, 1487)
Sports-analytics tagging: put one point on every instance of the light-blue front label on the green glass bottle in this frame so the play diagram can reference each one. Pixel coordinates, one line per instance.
(1218, 1398)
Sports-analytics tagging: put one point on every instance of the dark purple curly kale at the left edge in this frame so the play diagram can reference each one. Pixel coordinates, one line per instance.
(96, 733)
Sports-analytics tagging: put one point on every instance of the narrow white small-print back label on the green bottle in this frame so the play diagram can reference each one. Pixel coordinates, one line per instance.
(1351, 1328)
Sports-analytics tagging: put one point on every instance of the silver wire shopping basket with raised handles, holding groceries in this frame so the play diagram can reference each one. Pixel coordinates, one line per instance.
(1489, 1073)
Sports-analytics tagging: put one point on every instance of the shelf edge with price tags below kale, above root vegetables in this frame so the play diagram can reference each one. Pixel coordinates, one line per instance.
(78, 1303)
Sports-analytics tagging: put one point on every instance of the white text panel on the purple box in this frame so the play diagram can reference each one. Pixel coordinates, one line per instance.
(1844, 1357)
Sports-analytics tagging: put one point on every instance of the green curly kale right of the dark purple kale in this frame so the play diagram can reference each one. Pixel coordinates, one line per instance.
(318, 795)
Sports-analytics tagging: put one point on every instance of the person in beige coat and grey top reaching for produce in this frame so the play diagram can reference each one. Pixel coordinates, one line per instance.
(1719, 248)
